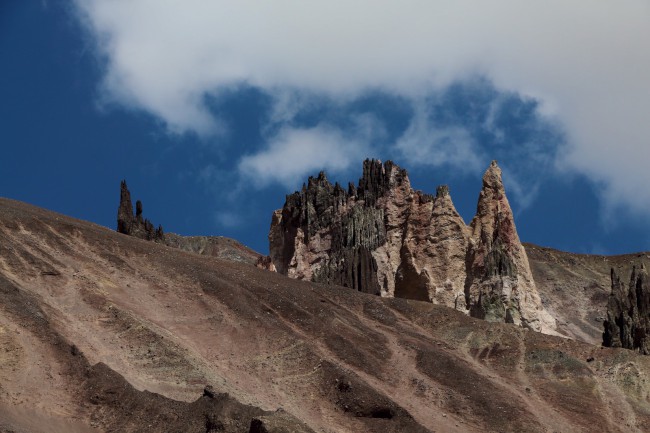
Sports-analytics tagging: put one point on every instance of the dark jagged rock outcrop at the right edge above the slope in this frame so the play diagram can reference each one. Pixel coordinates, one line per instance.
(628, 313)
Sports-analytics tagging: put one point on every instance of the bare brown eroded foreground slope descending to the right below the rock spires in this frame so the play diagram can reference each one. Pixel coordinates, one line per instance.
(83, 306)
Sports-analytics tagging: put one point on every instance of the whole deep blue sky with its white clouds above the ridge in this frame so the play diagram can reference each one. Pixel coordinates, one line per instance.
(214, 111)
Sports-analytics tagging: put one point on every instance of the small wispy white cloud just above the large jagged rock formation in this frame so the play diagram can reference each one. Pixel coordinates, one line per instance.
(295, 153)
